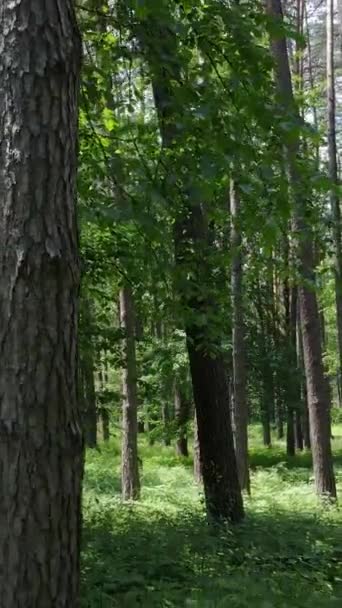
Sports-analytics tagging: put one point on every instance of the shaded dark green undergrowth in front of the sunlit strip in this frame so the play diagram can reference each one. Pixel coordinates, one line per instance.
(137, 557)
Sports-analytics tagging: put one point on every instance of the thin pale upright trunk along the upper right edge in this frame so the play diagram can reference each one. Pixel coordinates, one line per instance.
(333, 174)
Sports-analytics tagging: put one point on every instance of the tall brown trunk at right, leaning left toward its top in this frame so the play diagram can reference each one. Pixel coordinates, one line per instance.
(317, 389)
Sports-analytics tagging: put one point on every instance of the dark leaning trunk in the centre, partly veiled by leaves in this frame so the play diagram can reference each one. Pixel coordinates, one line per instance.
(208, 373)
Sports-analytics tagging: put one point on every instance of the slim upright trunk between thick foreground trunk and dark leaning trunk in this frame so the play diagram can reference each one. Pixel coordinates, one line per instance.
(129, 457)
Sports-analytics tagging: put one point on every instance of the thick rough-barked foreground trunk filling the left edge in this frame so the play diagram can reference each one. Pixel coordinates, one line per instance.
(41, 447)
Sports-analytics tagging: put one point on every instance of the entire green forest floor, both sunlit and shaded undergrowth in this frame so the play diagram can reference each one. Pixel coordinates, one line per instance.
(161, 553)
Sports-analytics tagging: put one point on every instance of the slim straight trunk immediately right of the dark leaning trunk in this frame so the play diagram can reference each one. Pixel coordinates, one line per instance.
(240, 410)
